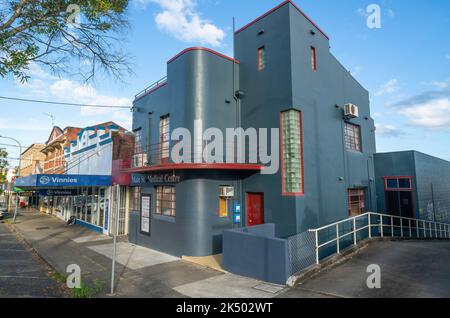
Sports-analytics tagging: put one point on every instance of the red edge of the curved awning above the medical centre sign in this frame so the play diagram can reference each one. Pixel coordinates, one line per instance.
(197, 166)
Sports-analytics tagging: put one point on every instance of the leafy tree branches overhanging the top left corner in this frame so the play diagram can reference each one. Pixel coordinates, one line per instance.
(75, 37)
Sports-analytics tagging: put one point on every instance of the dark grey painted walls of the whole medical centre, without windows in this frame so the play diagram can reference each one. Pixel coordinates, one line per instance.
(200, 86)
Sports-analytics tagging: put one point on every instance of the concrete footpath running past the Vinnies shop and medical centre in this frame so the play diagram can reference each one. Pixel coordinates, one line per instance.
(140, 272)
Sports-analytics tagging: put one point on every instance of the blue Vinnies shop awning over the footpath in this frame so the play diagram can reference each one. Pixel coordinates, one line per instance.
(63, 180)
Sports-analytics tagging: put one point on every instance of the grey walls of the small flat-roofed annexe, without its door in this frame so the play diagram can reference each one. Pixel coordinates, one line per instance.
(430, 186)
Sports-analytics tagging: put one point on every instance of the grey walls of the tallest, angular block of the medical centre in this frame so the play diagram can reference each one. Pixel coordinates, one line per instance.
(289, 82)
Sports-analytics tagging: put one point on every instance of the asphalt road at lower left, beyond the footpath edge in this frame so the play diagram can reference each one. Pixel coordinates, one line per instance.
(22, 274)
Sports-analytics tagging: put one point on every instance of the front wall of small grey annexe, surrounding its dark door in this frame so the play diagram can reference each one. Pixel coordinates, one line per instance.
(393, 164)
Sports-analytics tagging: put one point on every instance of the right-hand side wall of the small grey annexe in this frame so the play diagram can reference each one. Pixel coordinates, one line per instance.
(432, 173)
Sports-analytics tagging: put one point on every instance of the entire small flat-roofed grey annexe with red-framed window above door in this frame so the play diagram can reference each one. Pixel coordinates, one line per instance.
(413, 184)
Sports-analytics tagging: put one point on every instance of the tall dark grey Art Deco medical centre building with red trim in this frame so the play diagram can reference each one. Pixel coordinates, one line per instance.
(284, 79)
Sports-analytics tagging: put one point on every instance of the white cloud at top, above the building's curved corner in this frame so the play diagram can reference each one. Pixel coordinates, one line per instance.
(181, 19)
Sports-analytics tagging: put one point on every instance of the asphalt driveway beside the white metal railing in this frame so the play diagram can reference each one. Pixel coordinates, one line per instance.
(412, 269)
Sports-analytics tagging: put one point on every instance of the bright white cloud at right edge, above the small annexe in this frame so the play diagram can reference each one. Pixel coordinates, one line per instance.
(434, 113)
